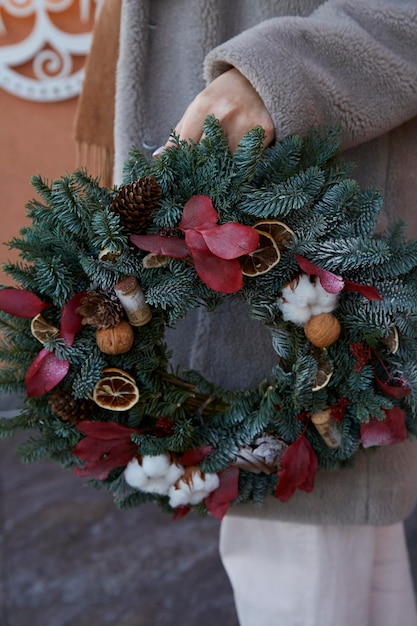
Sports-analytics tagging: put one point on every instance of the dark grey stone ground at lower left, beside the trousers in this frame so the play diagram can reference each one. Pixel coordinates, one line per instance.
(70, 558)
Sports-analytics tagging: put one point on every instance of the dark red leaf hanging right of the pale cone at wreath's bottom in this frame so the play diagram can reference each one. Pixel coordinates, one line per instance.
(298, 469)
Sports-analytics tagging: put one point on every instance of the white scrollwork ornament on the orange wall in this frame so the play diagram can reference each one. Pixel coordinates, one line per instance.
(48, 49)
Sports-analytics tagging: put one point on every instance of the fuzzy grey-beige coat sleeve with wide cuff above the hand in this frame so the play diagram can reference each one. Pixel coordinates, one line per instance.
(351, 62)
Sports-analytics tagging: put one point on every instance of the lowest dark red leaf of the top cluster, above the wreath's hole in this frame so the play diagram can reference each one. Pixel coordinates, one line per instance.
(218, 274)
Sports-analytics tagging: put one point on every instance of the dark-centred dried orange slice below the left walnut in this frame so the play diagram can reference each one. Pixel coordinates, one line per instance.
(115, 392)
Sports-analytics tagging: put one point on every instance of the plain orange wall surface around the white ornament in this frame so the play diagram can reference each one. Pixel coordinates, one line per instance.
(35, 138)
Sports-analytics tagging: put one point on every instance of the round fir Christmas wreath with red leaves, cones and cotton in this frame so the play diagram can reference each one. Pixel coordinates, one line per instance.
(103, 272)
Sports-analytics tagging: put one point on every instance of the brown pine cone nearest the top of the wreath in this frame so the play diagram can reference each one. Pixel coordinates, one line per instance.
(136, 202)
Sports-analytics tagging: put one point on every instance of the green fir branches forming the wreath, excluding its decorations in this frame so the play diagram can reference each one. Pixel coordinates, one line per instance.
(299, 181)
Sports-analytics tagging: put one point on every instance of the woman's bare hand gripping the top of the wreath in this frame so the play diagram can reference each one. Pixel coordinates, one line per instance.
(234, 102)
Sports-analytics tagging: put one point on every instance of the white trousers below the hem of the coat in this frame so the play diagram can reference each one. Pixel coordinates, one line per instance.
(286, 574)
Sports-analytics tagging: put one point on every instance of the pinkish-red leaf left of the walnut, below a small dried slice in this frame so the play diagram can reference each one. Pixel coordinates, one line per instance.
(44, 373)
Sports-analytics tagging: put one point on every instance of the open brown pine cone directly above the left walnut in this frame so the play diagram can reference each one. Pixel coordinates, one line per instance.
(101, 309)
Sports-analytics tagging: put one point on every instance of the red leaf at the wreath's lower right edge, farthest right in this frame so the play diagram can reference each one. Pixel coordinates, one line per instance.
(385, 432)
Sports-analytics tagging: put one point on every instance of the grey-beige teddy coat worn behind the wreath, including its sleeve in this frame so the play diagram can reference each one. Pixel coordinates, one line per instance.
(347, 61)
